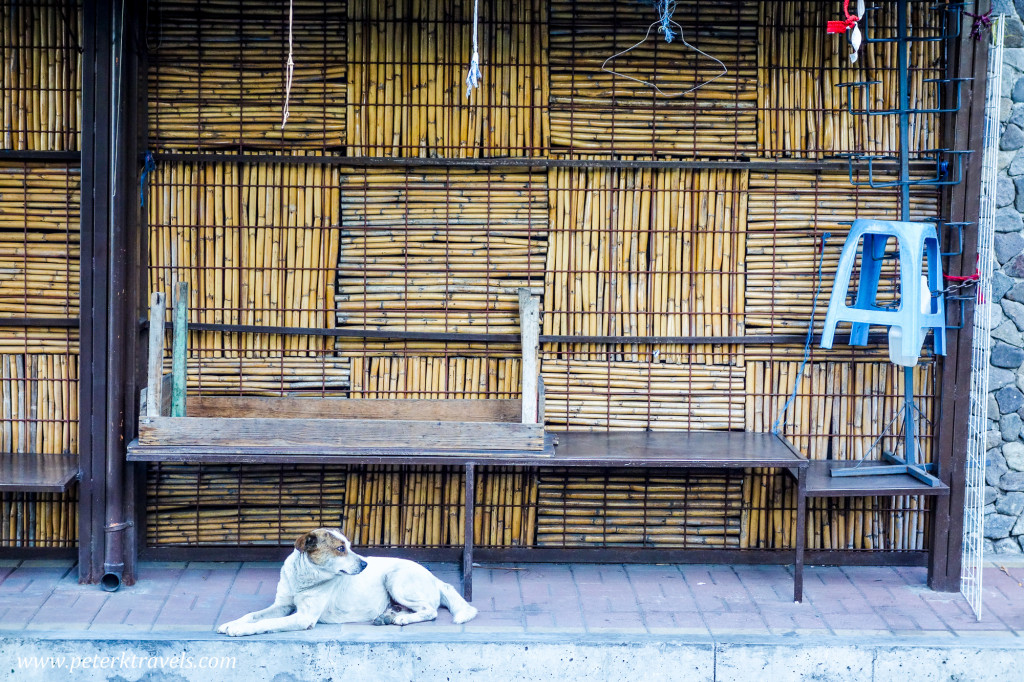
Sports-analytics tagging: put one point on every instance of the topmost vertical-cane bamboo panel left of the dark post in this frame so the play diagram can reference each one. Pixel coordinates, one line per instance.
(42, 75)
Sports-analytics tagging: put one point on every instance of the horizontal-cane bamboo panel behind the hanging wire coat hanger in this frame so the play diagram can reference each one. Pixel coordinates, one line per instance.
(593, 111)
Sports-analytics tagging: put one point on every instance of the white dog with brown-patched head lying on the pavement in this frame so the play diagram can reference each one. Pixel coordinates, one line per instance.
(324, 581)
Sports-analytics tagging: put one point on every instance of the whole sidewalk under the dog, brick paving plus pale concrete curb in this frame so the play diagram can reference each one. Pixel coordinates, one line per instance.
(537, 622)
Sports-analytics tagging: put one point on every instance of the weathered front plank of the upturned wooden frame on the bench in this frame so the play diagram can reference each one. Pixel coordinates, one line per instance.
(354, 434)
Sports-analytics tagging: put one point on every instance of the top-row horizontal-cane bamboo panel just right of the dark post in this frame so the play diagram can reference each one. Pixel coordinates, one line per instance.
(217, 75)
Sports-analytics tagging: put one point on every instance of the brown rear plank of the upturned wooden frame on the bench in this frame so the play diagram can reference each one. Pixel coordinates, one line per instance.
(493, 410)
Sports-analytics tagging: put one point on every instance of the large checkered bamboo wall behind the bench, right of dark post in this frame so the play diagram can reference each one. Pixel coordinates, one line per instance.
(616, 251)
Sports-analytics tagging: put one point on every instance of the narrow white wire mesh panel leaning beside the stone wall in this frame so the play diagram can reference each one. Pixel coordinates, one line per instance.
(975, 499)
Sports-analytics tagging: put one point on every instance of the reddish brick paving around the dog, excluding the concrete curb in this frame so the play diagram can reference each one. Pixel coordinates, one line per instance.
(703, 601)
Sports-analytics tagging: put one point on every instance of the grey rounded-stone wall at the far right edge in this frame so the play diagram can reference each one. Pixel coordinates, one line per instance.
(1005, 459)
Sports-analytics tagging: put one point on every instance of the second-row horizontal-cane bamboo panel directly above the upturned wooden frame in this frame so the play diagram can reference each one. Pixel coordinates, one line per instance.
(440, 251)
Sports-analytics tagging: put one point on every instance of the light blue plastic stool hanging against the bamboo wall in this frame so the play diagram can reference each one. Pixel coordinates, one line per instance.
(916, 240)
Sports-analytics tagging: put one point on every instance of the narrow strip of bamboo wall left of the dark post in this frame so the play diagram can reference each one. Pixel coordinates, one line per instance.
(39, 261)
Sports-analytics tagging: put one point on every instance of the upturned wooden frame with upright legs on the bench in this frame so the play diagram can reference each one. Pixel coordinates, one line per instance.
(342, 427)
